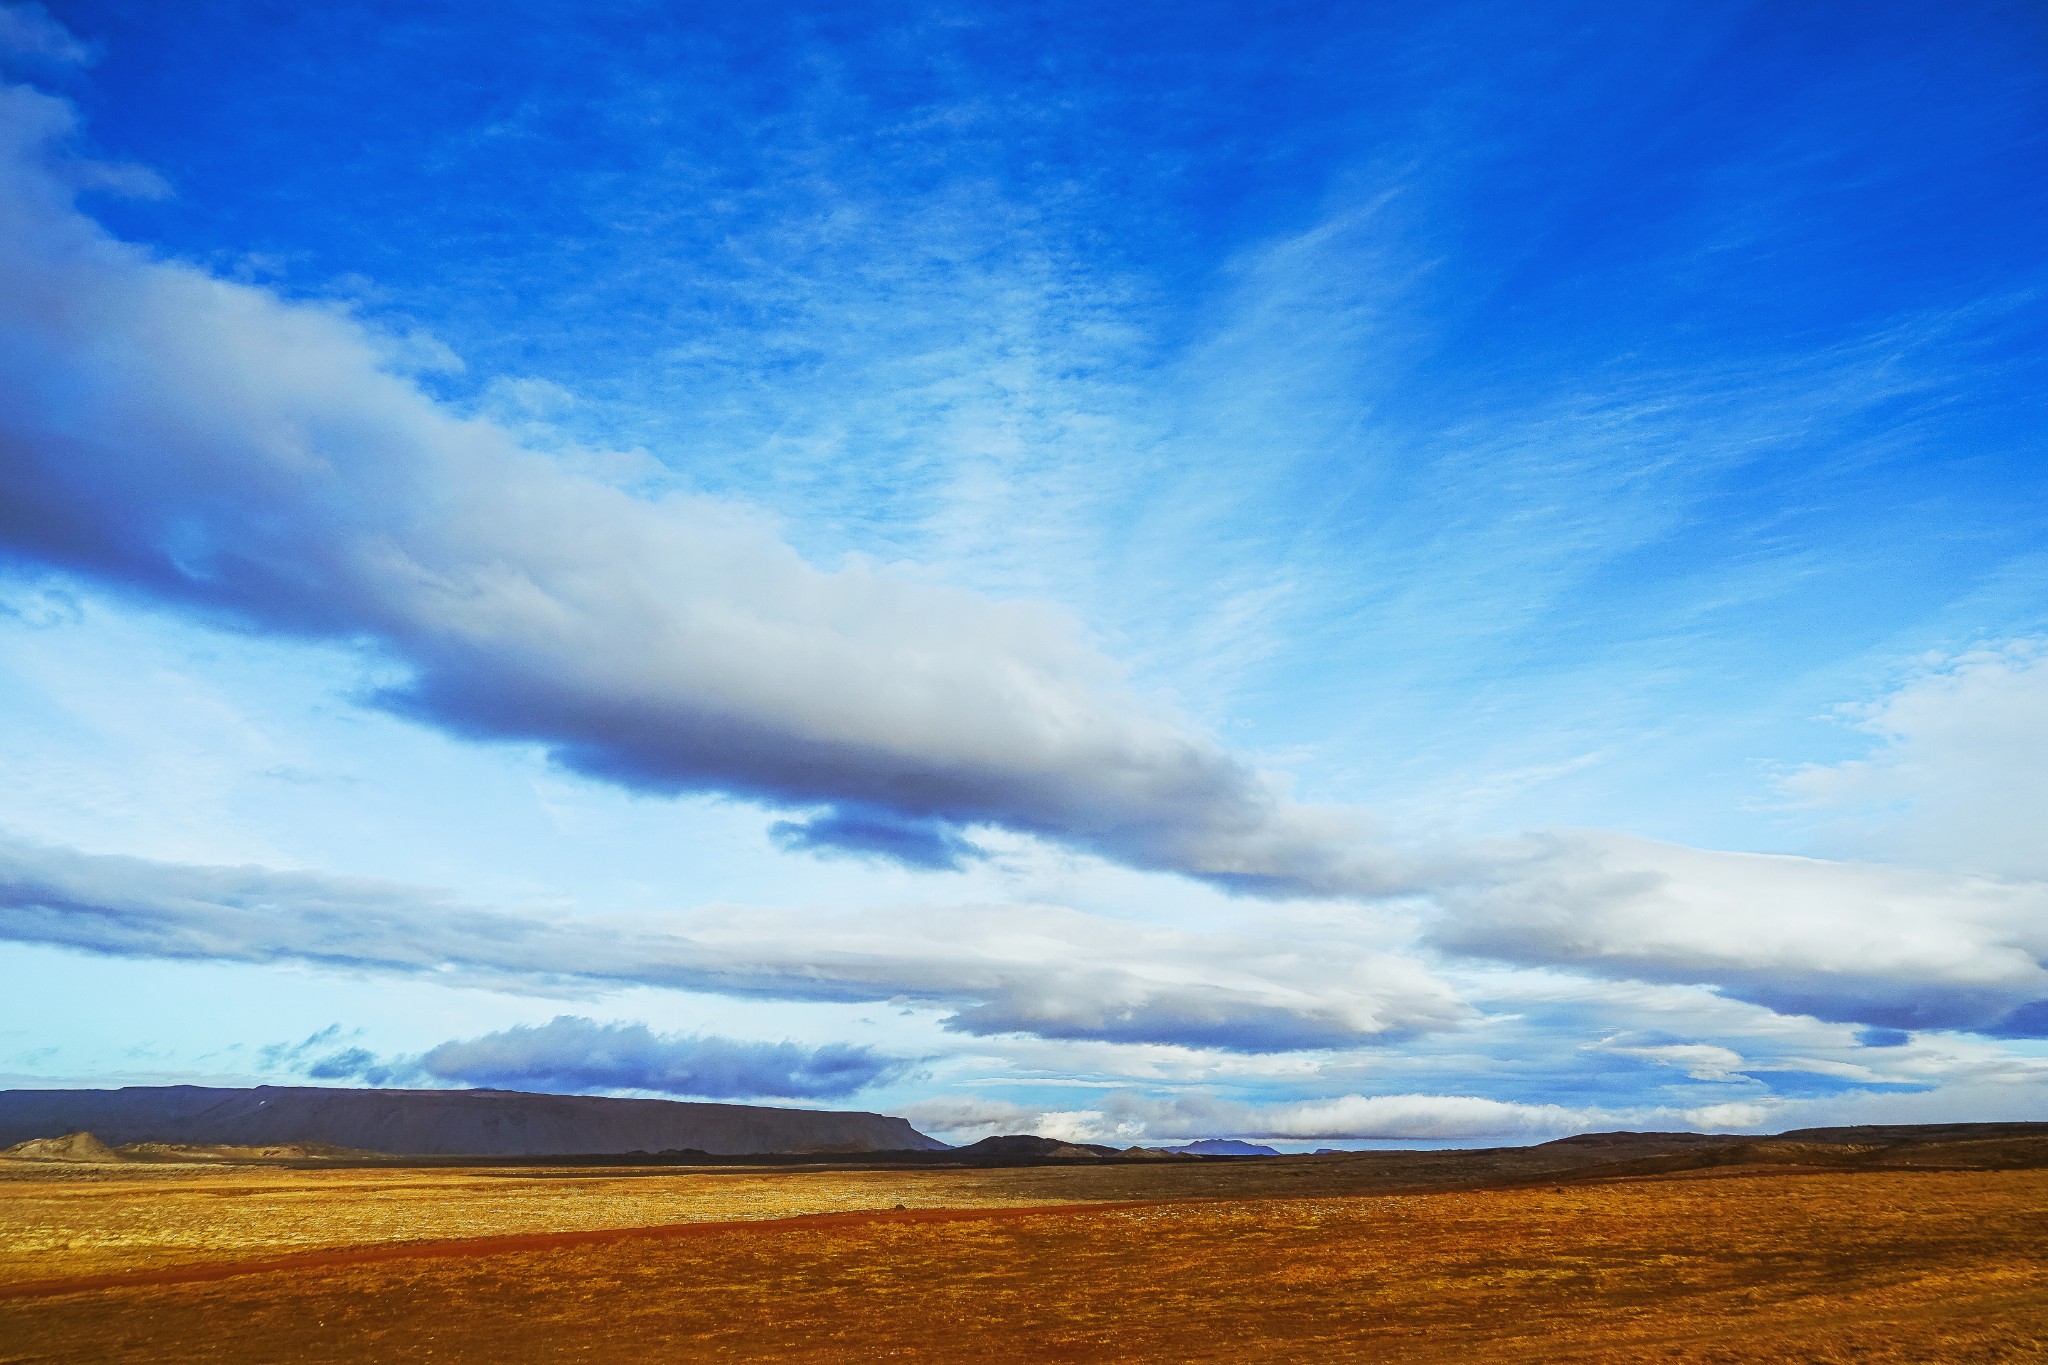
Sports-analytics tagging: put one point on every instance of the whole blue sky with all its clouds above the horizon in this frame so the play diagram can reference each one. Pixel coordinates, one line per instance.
(1336, 574)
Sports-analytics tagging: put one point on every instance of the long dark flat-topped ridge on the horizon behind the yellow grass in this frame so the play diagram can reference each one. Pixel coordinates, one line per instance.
(443, 1122)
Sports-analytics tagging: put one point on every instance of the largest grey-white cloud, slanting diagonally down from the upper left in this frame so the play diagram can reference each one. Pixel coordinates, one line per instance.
(228, 453)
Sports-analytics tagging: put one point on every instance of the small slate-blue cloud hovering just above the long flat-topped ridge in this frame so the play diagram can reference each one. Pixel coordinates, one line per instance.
(572, 1055)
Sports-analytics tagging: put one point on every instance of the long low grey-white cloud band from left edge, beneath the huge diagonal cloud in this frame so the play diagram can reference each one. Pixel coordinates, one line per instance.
(998, 969)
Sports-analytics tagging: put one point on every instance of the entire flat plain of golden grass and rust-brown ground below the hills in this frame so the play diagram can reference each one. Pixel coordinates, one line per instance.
(1304, 1260)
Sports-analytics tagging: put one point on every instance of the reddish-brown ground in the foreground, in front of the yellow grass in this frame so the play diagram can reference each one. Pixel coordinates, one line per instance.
(1873, 1266)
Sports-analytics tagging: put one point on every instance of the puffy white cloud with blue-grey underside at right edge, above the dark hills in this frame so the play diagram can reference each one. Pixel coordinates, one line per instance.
(1895, 949)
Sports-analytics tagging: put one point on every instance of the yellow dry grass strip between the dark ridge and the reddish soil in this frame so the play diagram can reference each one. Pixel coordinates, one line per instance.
(81, 1221)
